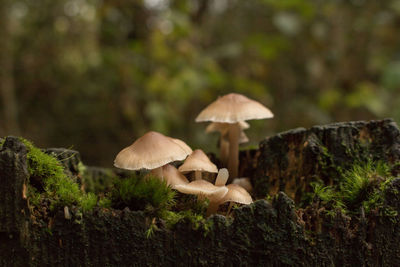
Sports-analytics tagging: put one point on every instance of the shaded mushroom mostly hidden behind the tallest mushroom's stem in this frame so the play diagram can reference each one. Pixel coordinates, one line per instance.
(223, 128)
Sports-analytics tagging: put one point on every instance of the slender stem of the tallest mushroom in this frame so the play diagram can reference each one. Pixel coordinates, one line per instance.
(233, 163)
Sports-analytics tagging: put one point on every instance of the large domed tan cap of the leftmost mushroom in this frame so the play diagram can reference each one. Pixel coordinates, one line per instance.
(151, 151)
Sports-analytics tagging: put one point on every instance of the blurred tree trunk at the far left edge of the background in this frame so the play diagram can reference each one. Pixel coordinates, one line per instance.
(7, 89)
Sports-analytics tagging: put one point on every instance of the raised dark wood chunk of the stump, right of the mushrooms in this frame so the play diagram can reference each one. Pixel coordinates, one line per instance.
(289, 161)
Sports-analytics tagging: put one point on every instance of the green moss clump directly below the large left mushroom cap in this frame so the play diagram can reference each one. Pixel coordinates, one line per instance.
(139, 192)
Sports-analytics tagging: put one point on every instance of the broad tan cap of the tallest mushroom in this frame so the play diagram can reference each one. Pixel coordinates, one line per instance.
(233, 108)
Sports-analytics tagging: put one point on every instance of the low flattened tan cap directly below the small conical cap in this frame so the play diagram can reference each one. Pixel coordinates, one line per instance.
(203, 188)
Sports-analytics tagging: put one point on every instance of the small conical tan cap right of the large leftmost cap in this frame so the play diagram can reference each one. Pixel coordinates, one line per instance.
(198, 161)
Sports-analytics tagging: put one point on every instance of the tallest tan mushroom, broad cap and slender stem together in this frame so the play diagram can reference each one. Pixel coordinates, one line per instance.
(232, 109)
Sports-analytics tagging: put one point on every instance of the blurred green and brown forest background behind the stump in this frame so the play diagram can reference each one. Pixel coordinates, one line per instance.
(94, 75)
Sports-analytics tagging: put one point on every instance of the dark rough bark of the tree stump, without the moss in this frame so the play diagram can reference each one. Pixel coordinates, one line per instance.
(260, 234)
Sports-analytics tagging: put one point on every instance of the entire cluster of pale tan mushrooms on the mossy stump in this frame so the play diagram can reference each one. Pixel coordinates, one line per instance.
(154, 151)
